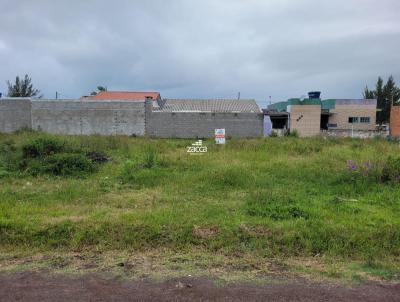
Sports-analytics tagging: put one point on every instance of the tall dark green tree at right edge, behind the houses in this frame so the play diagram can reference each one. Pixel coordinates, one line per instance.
(386, 95)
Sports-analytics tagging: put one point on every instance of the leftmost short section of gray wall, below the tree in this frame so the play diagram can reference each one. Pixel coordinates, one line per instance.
(14, 114)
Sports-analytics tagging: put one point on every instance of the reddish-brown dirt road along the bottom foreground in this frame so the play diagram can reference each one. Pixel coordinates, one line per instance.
(29, 286)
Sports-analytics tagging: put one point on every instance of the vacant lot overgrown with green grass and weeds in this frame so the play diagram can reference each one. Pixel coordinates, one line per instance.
(298, 201)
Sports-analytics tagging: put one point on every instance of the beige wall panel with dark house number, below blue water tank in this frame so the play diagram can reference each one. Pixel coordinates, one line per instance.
(305, 119)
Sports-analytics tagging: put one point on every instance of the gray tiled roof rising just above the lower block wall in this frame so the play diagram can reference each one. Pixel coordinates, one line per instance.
(211, 105)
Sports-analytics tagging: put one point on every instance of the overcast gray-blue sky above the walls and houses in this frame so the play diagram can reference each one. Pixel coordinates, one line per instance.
(201, 48)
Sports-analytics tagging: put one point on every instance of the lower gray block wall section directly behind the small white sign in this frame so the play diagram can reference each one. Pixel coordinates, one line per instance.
(203, 125)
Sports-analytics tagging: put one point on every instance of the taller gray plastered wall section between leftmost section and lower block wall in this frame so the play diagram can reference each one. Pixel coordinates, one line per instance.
(89, 117)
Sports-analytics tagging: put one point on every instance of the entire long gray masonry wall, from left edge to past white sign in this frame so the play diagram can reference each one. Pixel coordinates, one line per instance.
(76, 117)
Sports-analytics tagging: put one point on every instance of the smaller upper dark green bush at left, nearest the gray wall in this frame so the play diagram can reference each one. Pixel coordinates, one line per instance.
(42, 147)
